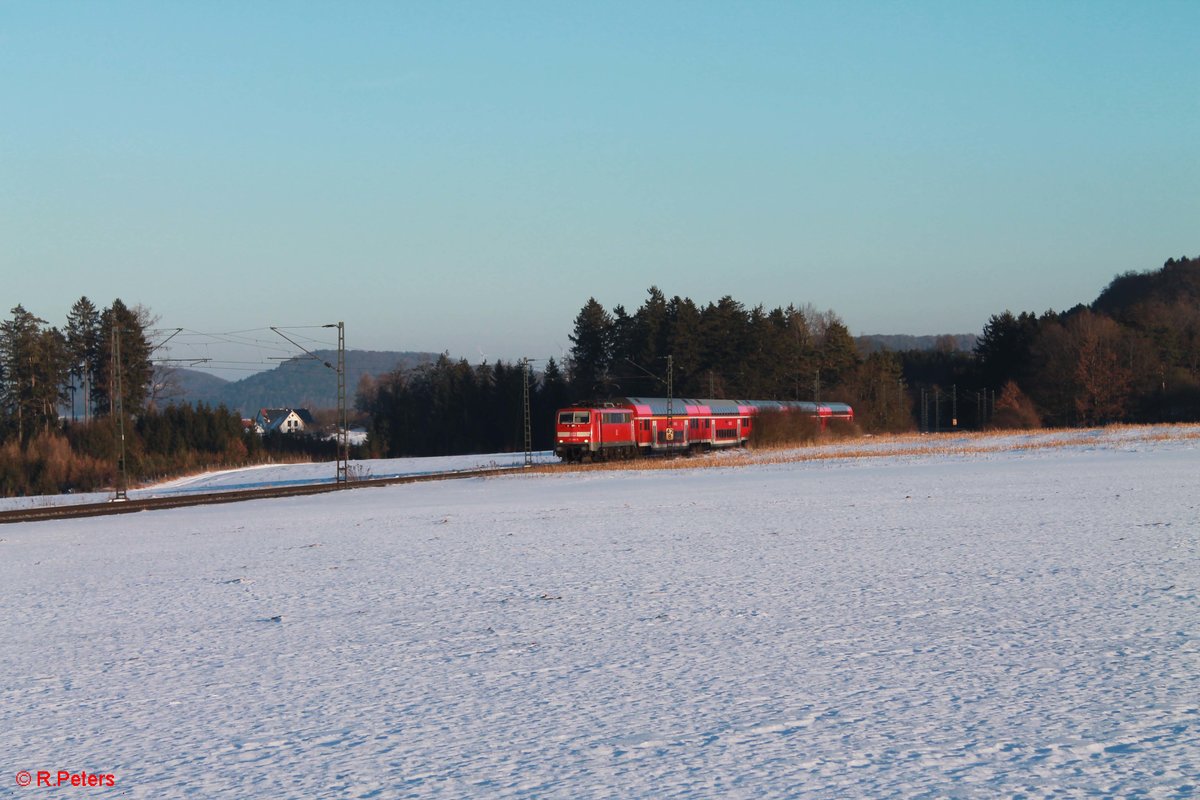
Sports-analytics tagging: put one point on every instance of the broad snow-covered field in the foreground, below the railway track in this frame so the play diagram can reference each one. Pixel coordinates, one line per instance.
(994, 622)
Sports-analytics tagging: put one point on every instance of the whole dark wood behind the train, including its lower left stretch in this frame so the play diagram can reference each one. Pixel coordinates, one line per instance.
(722, 350)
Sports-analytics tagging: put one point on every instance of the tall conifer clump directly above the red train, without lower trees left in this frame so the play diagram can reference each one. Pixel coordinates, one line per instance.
(724, 350)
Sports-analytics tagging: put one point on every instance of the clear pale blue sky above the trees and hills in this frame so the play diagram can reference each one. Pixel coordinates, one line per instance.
(464, 176)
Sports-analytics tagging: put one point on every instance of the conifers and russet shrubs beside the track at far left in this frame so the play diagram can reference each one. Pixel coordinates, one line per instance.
(104, 358)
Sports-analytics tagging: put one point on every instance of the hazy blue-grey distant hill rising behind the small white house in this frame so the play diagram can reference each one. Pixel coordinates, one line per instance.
(296, 383)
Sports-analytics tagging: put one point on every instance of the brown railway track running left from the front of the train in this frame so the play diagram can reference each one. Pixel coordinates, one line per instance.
(239, 496)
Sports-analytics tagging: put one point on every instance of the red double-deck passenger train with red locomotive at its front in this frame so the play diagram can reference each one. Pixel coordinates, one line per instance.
(641, 426)
